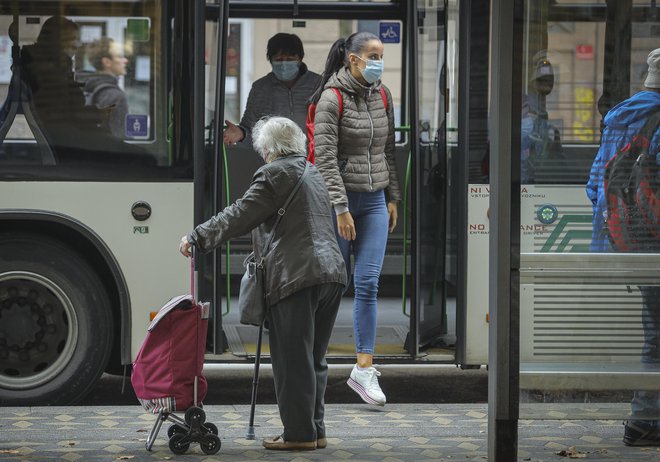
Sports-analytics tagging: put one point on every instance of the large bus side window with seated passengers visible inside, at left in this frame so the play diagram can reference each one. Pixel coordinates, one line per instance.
(84, 96)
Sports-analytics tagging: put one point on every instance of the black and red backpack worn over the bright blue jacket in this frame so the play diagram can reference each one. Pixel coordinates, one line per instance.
(632, 193)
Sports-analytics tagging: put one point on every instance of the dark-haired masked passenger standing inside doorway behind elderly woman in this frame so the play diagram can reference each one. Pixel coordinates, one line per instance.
(282, 92)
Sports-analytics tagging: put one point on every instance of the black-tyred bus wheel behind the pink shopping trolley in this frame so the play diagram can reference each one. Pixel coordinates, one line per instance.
(55, 322)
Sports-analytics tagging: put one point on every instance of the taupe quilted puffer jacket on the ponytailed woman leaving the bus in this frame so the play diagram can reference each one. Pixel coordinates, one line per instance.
(355, 152)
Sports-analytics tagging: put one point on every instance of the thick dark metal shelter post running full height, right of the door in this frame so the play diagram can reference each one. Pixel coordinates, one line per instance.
(504, 246)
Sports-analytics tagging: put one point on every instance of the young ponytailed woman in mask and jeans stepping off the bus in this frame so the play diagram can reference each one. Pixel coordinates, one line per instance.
(354, 152)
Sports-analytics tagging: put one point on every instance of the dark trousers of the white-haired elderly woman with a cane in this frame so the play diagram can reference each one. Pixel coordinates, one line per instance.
(299, 333)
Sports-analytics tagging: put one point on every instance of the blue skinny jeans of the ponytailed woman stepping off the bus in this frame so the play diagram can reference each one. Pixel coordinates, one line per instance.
(369, 212)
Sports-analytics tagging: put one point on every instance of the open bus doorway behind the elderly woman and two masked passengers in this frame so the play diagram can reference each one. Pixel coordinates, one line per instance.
(247, 27)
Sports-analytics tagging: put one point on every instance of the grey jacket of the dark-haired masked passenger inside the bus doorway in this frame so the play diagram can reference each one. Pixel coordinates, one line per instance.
(270, 97)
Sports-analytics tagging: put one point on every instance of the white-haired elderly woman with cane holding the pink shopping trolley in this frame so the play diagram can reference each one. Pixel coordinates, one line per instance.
(305, 274)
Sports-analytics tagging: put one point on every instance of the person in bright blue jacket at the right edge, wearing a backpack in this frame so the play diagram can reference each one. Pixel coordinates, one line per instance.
(622, 122)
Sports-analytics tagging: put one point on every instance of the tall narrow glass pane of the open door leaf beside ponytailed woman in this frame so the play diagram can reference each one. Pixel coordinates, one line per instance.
(433, 315)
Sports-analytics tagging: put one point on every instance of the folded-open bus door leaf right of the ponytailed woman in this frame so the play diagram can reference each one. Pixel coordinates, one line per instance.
(433, 320)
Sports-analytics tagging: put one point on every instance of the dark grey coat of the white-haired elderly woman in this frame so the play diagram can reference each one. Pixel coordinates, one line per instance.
(304, 250)
